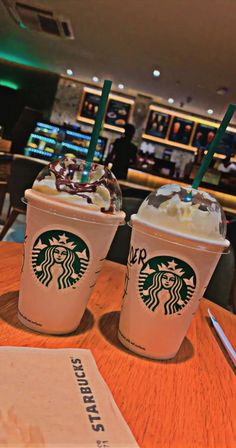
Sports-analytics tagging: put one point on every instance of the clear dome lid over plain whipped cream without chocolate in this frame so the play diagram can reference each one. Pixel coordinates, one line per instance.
(184, 210)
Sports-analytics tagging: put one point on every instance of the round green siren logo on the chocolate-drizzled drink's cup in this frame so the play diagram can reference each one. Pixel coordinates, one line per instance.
(59, 258)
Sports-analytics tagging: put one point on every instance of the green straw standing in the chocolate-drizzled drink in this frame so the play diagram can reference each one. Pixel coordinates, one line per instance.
(96, 130)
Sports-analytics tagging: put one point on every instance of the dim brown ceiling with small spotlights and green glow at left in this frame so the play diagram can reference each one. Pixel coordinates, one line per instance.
(192, 42)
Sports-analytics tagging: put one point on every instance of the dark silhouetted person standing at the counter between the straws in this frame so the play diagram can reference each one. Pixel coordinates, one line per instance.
(123, 153)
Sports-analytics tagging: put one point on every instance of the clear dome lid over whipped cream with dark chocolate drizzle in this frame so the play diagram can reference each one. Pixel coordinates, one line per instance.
(62, 181)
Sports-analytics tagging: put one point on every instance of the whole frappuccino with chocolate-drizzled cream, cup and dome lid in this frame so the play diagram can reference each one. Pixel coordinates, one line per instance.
(69, 229)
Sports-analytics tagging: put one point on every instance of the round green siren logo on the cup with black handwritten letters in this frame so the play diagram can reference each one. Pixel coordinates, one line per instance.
(166, 282)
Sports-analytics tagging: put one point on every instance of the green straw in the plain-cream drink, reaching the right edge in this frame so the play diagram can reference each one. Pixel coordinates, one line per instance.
(218, 136)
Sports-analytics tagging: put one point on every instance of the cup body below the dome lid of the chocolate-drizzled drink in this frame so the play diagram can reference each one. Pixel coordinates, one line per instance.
(65, 246)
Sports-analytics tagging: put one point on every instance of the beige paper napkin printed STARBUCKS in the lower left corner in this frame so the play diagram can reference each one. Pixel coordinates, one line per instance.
(57, 398)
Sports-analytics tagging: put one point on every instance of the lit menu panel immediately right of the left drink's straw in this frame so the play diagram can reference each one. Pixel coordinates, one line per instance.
(117, 113)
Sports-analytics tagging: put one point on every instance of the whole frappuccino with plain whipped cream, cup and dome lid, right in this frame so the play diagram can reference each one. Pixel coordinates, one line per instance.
(178, 236)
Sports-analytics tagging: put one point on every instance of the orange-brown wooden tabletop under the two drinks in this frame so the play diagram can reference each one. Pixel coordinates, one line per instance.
(187, 402)
